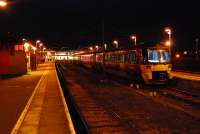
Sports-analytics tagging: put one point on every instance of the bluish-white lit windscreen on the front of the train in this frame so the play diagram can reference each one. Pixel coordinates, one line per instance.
(158, 56)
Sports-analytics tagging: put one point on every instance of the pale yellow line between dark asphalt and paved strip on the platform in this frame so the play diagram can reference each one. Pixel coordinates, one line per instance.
(23, 114)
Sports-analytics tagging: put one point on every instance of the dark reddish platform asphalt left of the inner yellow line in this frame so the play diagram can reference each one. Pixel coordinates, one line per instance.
(14, 95)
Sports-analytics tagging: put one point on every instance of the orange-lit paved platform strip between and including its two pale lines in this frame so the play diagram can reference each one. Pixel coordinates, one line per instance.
(46, 110)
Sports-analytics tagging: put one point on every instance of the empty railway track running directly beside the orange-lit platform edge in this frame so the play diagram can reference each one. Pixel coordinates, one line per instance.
(96, 118)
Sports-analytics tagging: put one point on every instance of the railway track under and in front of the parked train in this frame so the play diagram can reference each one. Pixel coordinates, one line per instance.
(187, 97)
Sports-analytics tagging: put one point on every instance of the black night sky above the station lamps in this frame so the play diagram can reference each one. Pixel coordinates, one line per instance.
(73, 23)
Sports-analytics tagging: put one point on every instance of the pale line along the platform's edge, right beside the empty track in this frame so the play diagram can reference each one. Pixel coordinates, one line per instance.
(71, 126)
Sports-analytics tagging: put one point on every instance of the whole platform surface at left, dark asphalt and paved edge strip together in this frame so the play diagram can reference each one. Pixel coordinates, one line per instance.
(34, 104)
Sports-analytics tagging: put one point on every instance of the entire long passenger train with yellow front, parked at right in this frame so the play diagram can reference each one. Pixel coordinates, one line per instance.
(149, 63)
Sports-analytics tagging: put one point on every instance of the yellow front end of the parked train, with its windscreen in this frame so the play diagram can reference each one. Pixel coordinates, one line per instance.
(156, 67)
